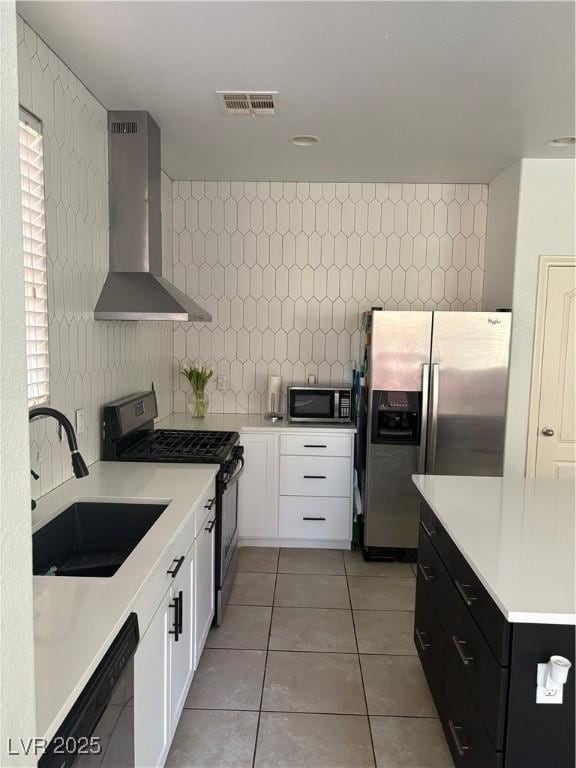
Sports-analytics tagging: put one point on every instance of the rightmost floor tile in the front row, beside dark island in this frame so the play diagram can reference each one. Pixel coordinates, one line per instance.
(406, 742)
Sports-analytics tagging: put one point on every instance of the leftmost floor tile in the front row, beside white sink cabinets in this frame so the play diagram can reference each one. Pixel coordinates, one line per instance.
(214, 739)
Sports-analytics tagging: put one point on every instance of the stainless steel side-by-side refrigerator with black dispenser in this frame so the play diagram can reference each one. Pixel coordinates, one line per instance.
(433, 401)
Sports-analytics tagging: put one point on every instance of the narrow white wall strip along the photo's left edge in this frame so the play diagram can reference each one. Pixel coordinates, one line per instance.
(17, 695)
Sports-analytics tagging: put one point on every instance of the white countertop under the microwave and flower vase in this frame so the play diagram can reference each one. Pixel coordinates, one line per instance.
(239, 422)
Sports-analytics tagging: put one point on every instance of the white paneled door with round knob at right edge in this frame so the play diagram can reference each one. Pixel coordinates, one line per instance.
(556, 437)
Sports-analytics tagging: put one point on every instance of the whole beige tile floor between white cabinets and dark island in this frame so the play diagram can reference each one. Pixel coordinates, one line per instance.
(313, 667)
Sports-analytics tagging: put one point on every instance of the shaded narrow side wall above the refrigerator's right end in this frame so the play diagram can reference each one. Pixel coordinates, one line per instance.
(501, 239)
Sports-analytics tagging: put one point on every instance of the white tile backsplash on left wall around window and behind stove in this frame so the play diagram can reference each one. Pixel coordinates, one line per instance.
(90, 363)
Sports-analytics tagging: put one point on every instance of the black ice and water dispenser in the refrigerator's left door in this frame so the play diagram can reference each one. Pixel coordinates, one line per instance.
(396, 417)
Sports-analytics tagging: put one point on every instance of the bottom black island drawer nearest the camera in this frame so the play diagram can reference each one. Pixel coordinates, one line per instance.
(467, 738)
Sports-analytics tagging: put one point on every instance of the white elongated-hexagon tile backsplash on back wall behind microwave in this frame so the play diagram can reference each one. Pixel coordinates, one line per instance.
(287, 268)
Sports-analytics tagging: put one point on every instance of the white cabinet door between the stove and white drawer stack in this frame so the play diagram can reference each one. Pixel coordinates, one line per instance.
(258, 487)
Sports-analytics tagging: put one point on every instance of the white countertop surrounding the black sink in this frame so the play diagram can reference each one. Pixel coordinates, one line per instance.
(77, 618)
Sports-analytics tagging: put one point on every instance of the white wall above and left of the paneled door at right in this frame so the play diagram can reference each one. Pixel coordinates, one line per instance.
(545, 225)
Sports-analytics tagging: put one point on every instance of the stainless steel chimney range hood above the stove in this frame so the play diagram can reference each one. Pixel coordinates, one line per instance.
(134, 288)
